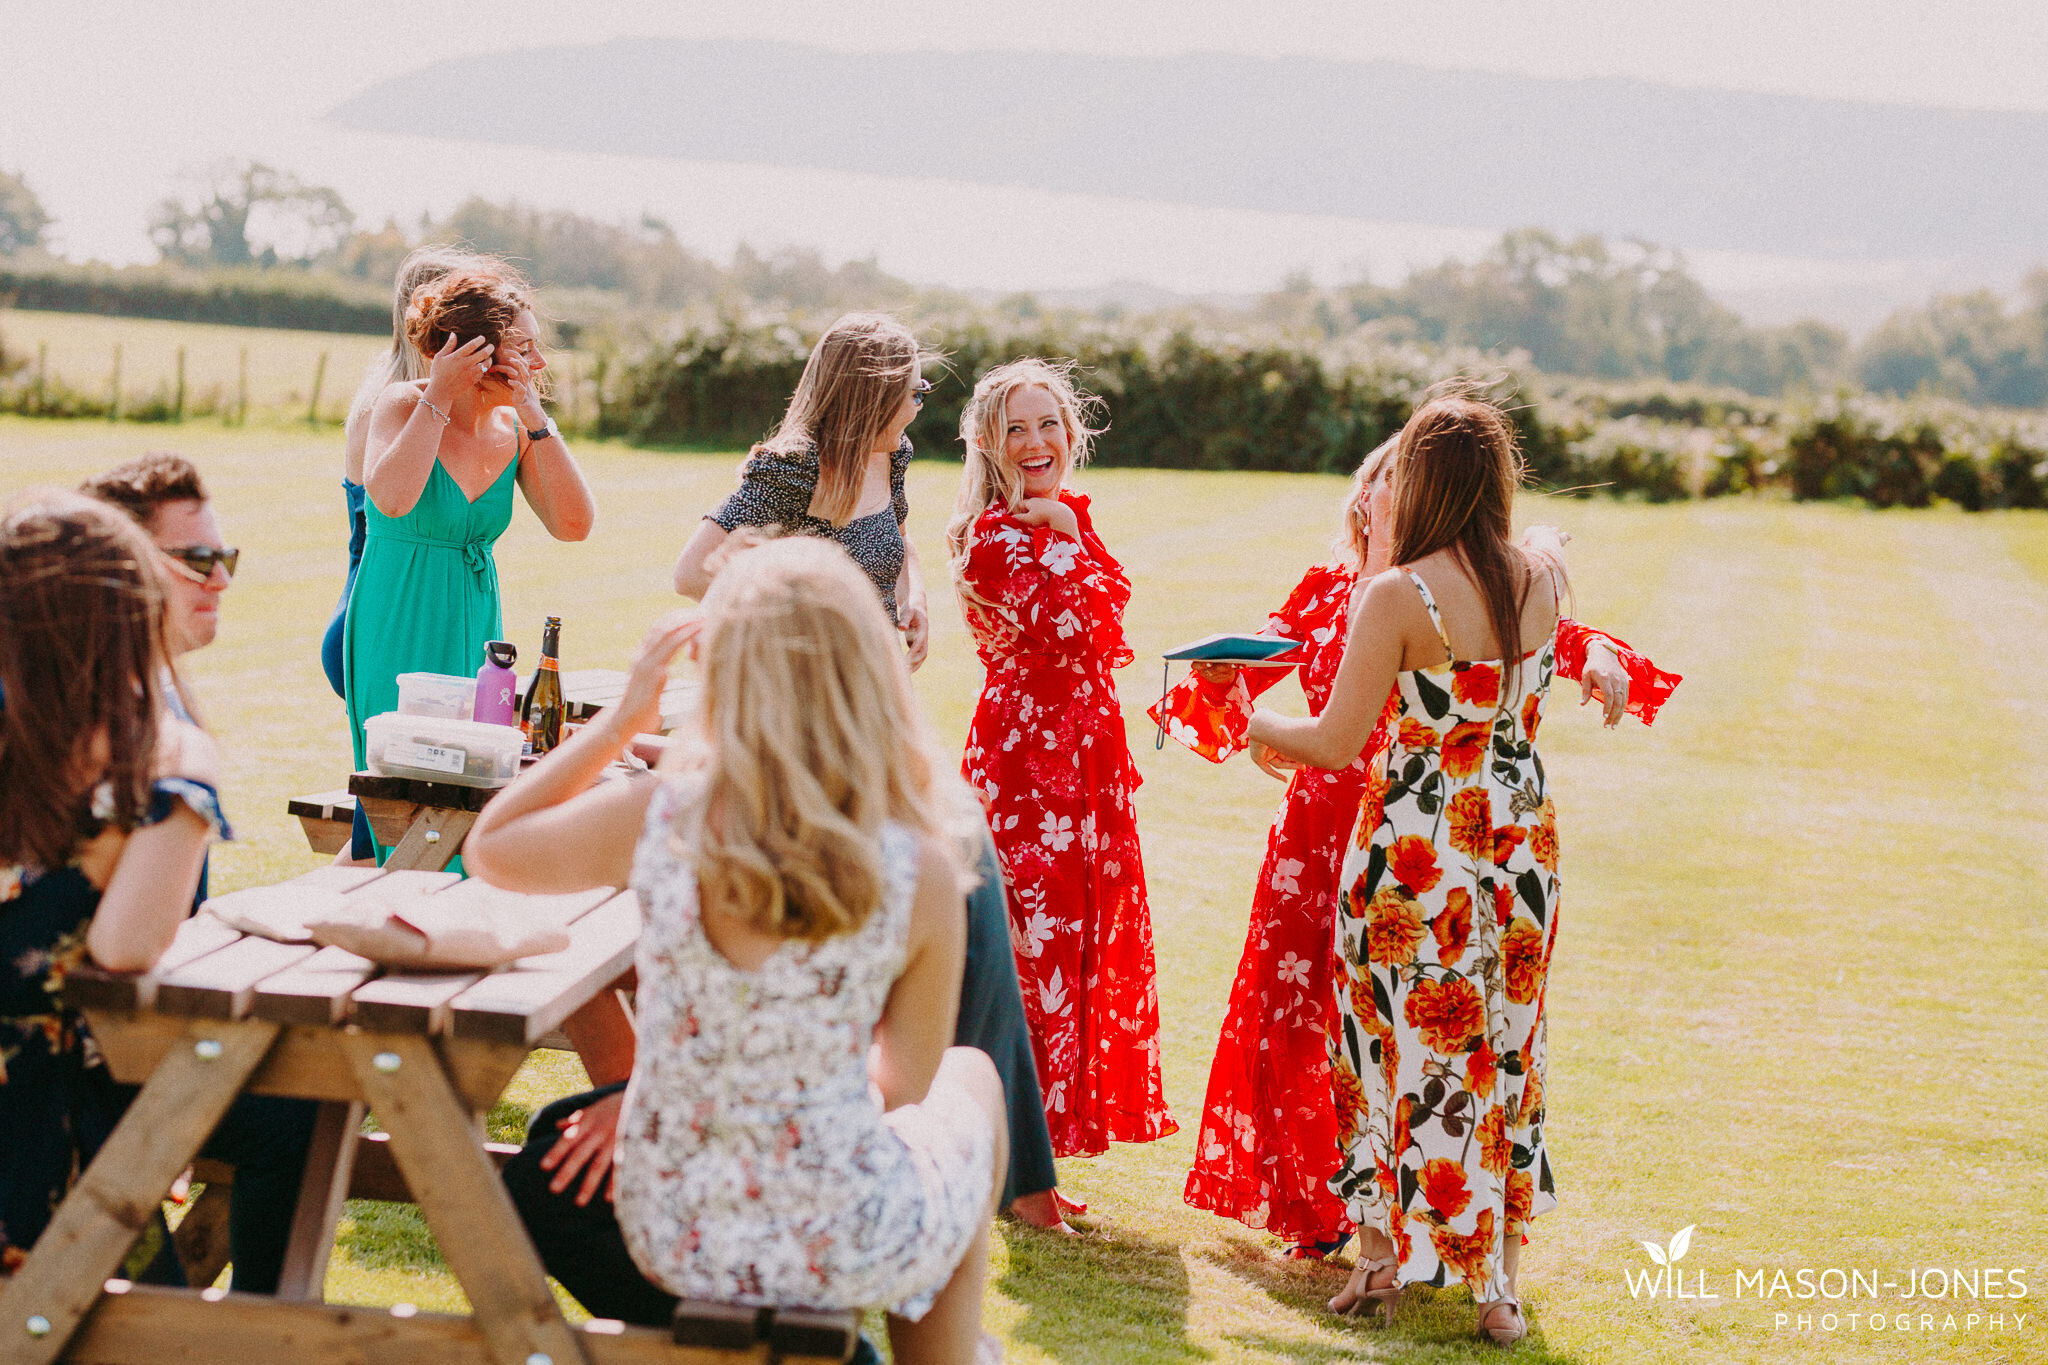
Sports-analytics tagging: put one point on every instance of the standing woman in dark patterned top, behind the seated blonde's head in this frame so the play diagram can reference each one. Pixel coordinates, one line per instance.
(835, 470)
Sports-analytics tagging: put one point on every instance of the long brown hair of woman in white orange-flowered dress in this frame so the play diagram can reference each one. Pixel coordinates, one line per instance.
(1455, 474)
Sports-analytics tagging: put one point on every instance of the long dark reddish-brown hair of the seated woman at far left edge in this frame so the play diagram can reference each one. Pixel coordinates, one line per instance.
(81, 658)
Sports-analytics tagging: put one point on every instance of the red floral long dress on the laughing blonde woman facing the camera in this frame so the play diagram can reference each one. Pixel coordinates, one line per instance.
(1050, 758)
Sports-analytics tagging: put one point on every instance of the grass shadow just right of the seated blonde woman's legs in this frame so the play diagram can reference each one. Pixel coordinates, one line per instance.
(1103, 1296)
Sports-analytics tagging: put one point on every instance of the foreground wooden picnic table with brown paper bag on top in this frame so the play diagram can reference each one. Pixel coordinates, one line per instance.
(228, 1014)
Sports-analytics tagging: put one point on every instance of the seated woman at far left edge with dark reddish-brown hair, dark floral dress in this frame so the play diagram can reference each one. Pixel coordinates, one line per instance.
(108, 805)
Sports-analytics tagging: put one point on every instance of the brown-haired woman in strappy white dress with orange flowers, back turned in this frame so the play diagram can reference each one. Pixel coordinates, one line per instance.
(1449, 899)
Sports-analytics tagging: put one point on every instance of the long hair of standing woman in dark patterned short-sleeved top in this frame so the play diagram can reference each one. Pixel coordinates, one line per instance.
(851, 392)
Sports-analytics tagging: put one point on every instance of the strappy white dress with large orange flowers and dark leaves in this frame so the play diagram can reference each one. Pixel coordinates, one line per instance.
(1445, 928)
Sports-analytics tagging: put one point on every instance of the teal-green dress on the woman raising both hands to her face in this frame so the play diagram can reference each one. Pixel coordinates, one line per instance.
(425, 597)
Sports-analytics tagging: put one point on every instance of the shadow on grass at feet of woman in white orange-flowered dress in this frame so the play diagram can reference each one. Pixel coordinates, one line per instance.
(1433, 1325)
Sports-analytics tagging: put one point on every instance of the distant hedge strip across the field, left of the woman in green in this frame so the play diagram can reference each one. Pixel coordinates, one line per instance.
(237, 298)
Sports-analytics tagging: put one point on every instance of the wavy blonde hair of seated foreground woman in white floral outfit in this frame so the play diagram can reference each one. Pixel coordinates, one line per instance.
(812, 740)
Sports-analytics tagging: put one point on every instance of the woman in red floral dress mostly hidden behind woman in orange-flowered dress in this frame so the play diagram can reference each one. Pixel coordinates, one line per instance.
(1269, 1141)
